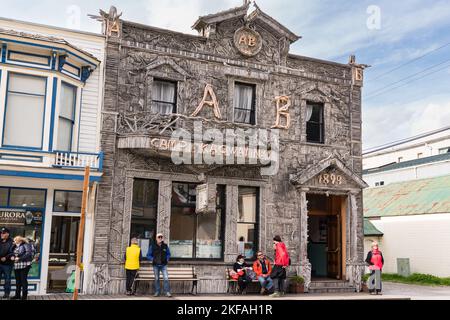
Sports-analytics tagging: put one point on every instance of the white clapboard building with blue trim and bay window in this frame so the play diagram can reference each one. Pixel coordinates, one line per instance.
(51, 92)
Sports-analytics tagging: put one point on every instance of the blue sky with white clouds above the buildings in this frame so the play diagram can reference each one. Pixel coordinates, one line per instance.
(406, 43)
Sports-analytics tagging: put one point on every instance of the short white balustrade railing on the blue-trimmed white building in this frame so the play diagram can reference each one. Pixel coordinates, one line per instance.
(78, 160)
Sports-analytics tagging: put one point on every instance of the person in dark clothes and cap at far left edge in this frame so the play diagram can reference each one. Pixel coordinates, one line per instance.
(6, 264)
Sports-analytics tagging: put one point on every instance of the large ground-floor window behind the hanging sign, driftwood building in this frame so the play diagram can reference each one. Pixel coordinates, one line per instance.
(195, 236)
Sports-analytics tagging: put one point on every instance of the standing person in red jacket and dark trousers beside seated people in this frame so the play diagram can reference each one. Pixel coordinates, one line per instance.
(282, 261)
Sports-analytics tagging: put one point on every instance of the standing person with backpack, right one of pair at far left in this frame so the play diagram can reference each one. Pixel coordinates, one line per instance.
(22, 257)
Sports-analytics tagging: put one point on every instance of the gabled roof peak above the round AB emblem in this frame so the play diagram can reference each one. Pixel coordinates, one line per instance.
(241, 12)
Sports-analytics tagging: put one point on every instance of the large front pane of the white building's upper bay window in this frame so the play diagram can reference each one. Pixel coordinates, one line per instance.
(24, 115)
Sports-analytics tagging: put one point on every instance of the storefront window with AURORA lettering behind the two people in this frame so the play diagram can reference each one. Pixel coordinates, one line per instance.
(22, 212)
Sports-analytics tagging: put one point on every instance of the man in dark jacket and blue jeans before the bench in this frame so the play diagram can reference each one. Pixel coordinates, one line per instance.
(159, 255)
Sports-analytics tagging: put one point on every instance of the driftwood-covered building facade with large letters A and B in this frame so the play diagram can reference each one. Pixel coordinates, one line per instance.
(236, 74)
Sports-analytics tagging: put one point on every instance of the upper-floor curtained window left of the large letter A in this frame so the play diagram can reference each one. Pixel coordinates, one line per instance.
(164, 97)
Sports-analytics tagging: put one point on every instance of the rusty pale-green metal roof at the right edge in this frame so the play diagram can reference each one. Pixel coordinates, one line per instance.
(416, 197)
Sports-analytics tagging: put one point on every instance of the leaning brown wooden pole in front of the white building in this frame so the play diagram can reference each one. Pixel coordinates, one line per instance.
(80, 242)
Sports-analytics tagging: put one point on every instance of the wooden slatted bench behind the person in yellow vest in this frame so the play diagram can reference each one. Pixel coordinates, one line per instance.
(175, 274)
